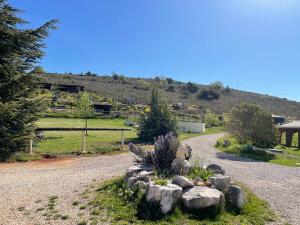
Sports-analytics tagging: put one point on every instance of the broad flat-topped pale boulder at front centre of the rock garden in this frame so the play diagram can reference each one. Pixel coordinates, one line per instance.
(198, 198)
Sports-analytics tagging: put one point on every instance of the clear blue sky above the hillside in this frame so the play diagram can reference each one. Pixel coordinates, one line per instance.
(252, 45)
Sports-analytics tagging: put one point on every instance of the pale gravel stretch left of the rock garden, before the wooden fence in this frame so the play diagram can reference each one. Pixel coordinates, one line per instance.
(25, 188)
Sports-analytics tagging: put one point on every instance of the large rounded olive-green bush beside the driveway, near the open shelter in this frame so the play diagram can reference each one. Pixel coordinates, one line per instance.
(249, 123)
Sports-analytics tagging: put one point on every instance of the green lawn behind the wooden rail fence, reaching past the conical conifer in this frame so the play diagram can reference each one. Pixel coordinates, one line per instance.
(97, 142)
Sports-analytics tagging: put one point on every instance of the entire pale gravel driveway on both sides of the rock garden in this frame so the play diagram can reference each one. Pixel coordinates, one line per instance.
(25, 187)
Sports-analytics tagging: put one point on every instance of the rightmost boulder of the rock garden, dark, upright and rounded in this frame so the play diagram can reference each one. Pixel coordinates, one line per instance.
(235, 198)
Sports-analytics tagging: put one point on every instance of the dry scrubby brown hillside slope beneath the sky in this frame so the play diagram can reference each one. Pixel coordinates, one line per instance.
(138, 90)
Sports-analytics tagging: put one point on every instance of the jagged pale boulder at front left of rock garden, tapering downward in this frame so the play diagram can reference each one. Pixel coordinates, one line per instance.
(167, 196)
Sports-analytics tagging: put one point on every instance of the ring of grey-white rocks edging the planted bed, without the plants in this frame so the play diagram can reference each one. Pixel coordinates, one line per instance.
(192, 194)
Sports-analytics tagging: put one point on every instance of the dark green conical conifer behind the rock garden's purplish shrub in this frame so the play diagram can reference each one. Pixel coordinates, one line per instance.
(159, 121)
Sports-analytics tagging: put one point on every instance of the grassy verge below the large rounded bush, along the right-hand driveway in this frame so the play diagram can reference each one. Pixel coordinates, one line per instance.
(288, 158)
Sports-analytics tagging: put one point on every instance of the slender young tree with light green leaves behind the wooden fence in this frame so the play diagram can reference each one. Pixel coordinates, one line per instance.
(85, 107)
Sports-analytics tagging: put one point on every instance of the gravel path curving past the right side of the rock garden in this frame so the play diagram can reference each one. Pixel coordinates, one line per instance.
(279, 185)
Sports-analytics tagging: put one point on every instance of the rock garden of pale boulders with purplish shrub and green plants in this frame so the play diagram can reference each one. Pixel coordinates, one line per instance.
(166, 179)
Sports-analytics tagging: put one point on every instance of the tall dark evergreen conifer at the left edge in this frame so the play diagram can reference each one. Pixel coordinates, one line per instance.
(20, 51)
